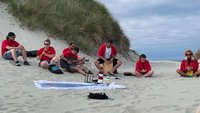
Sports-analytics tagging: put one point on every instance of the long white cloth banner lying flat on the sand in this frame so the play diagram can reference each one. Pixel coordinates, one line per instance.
(44, 84)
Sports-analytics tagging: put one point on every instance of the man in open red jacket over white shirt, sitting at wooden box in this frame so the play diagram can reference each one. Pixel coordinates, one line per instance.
(107, 53)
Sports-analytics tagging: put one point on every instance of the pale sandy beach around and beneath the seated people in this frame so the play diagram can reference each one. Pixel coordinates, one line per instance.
(165, 92)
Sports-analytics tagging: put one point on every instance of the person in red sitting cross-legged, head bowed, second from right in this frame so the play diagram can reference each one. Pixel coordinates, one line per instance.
(143, 67)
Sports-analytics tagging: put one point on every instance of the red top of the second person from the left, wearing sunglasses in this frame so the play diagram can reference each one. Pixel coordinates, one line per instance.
(49, 51)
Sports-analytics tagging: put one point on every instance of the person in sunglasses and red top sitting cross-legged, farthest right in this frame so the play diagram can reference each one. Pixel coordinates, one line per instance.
(189, 66)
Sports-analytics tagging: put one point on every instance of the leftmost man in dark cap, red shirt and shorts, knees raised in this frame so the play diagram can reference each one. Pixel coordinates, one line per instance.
(11, 49)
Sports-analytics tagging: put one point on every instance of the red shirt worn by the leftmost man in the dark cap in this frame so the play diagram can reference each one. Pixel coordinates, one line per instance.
(6, 43)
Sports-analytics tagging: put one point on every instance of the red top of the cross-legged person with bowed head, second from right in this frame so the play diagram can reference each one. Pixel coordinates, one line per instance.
(140, 66)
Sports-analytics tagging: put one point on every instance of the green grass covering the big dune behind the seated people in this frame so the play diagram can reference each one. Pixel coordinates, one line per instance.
(86, 22)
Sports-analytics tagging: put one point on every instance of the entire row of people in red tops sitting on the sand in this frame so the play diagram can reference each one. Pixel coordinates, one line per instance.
(70, 61)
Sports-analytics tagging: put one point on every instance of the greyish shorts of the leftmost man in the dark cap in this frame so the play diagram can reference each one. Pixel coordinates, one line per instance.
(8, 54)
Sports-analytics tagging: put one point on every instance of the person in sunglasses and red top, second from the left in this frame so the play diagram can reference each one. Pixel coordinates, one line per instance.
(46, 54)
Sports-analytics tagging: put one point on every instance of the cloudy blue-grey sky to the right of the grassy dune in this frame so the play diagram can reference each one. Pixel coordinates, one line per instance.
(162, 29)
